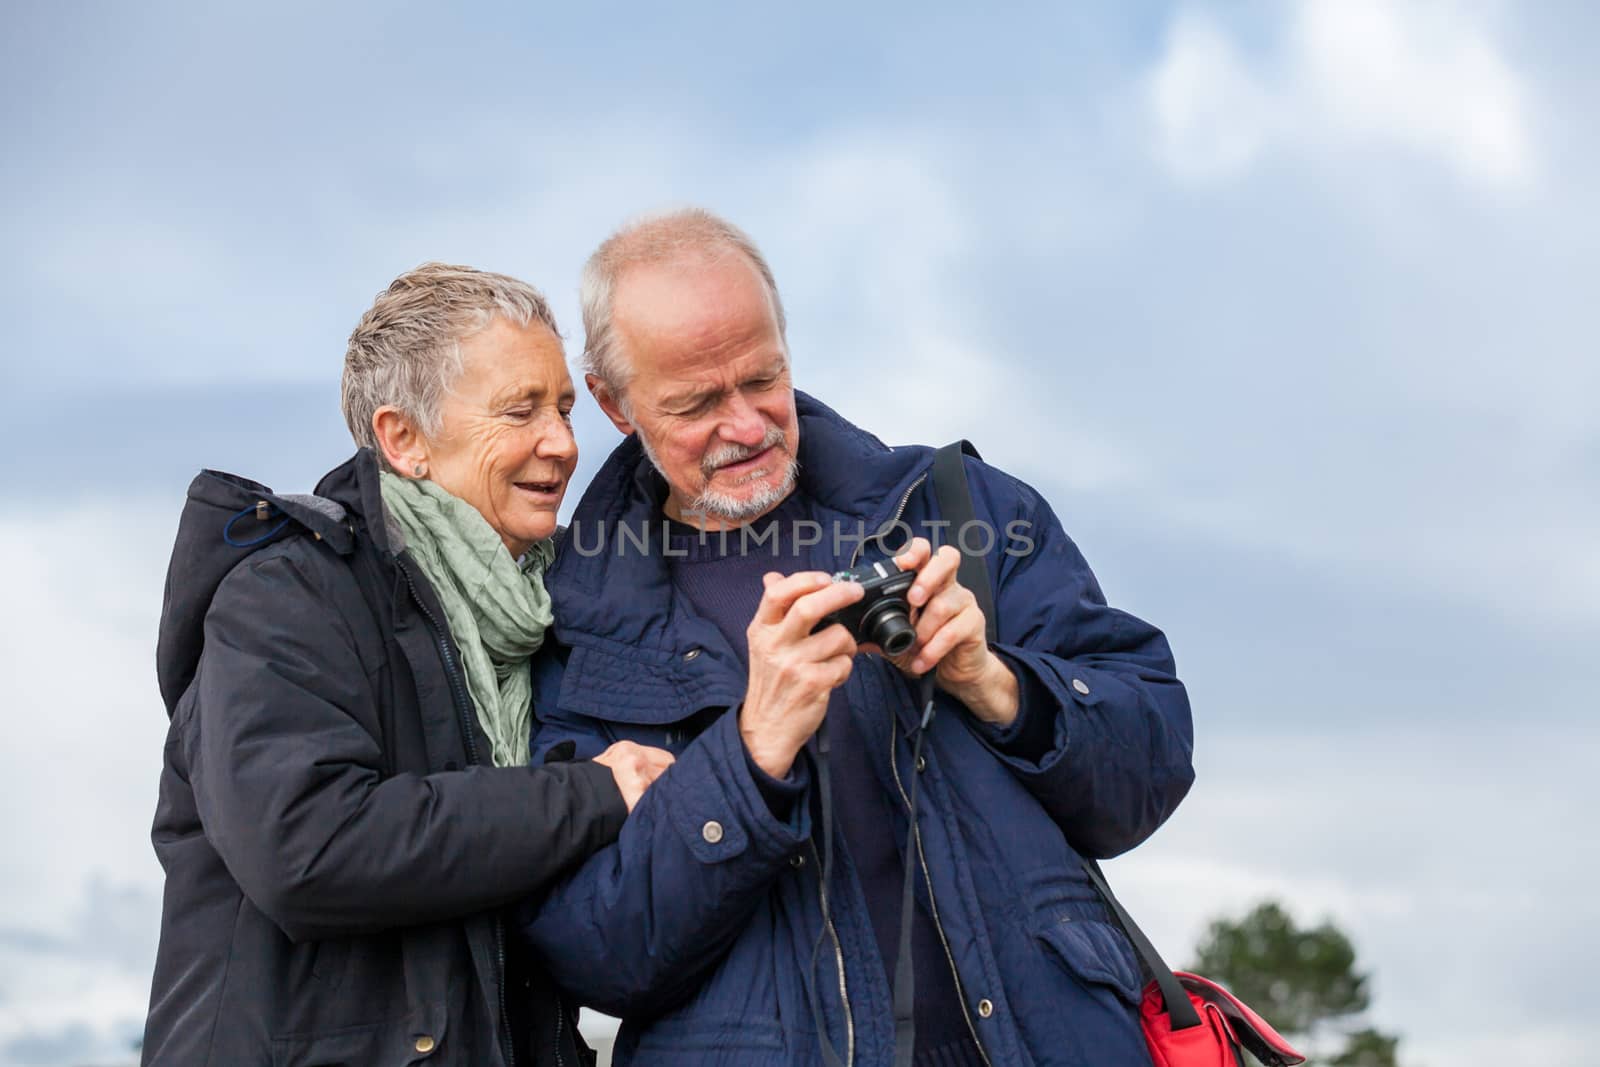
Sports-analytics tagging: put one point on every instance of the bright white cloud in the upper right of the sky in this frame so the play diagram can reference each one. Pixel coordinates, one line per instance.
(1343, 76)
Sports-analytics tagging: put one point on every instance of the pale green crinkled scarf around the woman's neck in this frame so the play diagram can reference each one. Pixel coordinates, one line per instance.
(497, 609)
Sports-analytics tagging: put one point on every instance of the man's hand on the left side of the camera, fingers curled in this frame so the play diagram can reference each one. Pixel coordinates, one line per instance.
(793, 671)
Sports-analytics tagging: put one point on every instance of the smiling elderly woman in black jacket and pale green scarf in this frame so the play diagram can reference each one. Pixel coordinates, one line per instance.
(346, 799)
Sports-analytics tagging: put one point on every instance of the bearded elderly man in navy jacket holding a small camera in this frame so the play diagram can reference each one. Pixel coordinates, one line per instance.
(690, 607)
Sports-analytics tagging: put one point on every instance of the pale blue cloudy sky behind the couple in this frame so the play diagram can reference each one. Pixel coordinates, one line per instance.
(1289, 310)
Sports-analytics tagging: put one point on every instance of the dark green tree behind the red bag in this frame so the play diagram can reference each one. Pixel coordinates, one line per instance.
(1302, 981)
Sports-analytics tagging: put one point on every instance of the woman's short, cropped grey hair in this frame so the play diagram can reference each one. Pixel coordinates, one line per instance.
(407, 348)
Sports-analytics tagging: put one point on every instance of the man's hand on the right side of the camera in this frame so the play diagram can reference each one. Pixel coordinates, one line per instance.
(951, 636)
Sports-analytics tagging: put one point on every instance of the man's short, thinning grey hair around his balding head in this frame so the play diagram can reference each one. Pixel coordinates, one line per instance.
(666, 238)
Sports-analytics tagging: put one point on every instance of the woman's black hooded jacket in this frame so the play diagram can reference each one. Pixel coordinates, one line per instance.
(337, 847)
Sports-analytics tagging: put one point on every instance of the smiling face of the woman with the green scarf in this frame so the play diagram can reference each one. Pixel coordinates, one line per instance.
(505, 441)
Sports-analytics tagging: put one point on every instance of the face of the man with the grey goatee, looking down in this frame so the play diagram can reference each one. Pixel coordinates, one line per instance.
(711, 394)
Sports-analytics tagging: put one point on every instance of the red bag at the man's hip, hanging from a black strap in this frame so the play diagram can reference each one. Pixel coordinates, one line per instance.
(1222, 1029)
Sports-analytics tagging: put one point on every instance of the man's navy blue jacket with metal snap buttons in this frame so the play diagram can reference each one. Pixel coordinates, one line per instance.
(700, 925)
